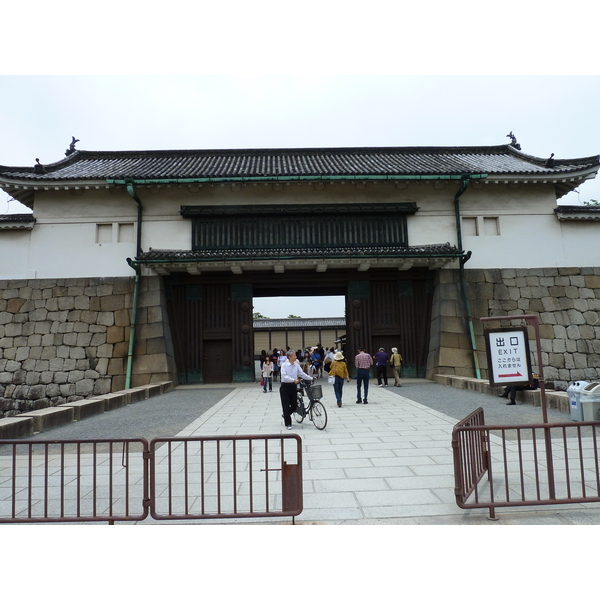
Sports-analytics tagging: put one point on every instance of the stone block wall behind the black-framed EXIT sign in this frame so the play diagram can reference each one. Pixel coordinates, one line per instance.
(566, 300)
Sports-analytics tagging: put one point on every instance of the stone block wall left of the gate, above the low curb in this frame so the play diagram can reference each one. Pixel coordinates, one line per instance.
(63, 340)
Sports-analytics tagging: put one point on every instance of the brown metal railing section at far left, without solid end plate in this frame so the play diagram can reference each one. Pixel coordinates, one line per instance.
(81, 480)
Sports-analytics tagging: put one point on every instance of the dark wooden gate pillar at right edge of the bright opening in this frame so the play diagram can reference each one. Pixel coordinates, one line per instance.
(358, 321)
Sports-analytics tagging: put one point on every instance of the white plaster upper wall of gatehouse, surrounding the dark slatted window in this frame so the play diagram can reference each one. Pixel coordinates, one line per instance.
(64, 241)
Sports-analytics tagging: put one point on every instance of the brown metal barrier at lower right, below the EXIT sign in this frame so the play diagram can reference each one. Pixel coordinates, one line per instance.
(526, 465)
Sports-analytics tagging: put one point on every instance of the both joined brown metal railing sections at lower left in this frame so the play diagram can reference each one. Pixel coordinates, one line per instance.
(128, 479)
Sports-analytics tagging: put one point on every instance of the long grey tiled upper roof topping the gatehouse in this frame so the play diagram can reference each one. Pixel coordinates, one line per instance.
(307, 162)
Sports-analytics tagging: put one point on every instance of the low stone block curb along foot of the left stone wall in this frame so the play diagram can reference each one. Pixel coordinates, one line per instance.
(43, 419)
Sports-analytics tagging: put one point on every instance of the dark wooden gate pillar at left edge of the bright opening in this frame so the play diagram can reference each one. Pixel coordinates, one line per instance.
(242, 333)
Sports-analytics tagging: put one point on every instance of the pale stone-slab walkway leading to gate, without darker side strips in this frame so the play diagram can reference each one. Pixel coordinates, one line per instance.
(389, 461)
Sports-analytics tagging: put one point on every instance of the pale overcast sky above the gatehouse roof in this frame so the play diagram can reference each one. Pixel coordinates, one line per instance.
(285, 79)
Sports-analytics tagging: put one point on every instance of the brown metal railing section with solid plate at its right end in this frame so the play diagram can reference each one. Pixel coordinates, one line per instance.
(223, 477)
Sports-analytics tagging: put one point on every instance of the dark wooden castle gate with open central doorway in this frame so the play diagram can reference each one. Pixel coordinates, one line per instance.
(211, 321)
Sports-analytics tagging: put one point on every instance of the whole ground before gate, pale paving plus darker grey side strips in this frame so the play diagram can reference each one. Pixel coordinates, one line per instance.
(388, 462)
